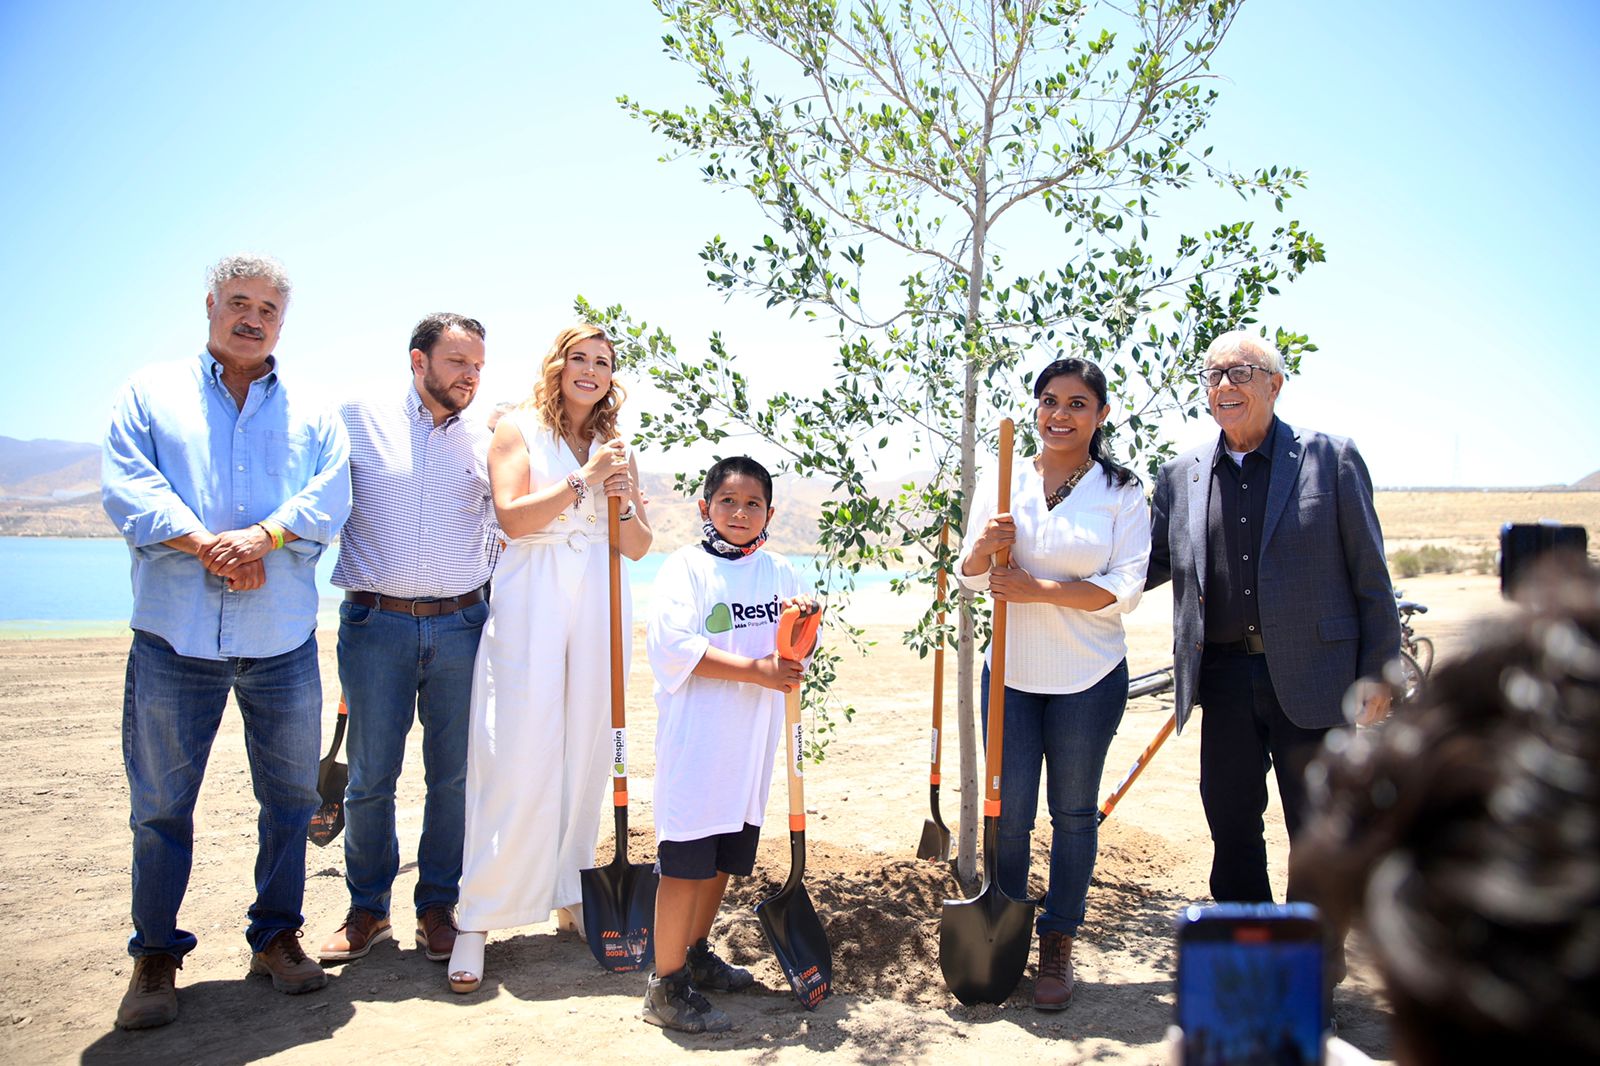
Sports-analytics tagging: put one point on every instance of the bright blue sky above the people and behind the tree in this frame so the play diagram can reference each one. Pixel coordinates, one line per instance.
(404, 159)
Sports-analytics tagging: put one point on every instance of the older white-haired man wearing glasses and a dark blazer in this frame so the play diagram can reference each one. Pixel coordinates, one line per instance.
(1281, 604)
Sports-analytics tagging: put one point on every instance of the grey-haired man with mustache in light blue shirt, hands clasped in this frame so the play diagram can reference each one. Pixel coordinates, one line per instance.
(228, 487)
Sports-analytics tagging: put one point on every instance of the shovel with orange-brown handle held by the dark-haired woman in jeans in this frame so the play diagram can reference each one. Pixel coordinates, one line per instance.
(985, 940)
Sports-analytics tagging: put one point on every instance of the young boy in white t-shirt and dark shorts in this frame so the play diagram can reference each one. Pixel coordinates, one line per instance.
(721, 699)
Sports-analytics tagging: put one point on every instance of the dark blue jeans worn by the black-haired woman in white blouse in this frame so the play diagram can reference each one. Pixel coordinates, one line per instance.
(1070, 735)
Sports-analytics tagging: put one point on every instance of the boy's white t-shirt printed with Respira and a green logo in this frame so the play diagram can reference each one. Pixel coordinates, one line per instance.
(716, 740)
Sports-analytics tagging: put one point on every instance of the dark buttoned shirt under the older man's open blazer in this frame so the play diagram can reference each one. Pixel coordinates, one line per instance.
(1234, 518)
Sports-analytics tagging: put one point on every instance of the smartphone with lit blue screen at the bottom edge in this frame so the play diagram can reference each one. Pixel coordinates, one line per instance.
(1250, 984)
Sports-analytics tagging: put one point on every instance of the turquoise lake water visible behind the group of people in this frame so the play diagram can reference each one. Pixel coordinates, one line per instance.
(79, 587)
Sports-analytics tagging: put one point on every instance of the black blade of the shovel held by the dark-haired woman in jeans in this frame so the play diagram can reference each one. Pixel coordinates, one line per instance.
(985, 942)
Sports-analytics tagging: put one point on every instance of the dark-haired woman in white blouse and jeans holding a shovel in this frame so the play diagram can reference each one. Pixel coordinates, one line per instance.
(1079, 534)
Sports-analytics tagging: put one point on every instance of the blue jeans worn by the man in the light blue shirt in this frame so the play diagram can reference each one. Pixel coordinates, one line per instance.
(170, 715)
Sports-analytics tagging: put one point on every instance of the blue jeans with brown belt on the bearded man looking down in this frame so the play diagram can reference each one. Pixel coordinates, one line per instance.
(396, 668)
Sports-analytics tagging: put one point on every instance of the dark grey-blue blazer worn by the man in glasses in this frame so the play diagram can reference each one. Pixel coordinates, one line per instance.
(1327, 607)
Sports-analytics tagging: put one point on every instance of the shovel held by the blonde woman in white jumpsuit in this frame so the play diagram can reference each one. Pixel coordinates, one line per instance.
(620, 899)
